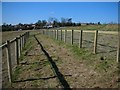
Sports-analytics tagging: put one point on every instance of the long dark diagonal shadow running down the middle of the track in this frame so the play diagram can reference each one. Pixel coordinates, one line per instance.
(59, 75)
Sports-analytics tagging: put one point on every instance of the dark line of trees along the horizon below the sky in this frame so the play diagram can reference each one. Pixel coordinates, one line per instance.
(41, 23)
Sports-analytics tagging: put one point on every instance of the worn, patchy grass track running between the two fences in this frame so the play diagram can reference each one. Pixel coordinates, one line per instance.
(80, 67)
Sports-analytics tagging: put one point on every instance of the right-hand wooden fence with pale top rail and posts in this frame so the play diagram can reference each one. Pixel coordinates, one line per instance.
(56, 32)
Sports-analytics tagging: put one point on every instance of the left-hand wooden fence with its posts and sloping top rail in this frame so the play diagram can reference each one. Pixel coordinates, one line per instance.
(19, 44)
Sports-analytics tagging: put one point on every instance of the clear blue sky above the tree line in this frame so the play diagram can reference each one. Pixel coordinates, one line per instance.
(31, 12)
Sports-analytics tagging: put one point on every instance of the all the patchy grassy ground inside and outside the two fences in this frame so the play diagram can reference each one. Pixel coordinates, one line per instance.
(77, 66)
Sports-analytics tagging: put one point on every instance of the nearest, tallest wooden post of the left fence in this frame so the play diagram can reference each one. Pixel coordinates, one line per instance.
(8, 51)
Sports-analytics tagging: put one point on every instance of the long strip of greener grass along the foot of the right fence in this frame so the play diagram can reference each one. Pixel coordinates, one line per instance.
(88, 57)
